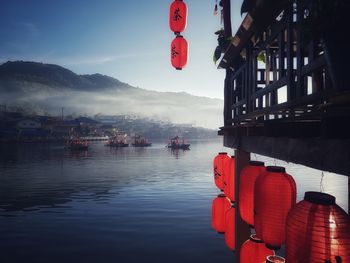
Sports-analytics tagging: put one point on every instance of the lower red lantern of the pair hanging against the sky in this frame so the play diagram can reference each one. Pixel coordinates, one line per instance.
(179, 50)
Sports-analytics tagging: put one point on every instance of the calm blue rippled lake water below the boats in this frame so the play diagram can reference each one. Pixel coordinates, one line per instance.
(119, 205)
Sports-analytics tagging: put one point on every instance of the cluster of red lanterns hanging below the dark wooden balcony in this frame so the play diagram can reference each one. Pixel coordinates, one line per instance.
(267, 203)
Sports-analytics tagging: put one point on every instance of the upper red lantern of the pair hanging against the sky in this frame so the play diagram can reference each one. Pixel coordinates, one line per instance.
(178, 16)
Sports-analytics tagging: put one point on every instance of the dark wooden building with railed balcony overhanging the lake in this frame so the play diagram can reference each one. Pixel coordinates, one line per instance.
(286, 90)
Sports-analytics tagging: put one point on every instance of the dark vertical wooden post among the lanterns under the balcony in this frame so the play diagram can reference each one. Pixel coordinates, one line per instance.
(242, 232)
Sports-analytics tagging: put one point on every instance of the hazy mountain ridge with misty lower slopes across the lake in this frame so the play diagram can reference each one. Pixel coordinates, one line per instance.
(46, 88)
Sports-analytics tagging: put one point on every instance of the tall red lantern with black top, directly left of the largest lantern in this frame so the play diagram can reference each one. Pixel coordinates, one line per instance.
(274, 196)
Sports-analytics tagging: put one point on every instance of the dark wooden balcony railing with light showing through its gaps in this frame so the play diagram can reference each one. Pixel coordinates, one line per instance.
(277, 70)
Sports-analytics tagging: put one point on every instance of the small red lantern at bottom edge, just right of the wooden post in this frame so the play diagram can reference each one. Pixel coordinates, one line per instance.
(254, 251)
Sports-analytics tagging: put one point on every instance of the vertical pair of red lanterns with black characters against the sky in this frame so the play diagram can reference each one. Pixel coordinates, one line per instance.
(177, 23)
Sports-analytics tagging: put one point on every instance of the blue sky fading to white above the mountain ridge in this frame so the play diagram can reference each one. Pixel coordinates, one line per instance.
(128, 40)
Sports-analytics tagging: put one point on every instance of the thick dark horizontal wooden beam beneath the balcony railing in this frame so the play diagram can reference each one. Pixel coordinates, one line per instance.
(331, 155)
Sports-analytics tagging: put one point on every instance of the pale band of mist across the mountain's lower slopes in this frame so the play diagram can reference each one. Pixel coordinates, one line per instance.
(169, 106)
